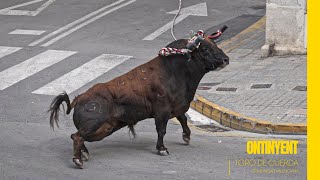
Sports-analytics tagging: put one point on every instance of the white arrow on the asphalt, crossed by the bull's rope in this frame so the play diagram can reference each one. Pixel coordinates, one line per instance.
(195, 10)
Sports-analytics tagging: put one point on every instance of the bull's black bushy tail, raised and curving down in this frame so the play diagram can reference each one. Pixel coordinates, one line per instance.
(54, 108)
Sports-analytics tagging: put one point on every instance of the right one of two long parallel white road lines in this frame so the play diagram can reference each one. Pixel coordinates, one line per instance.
(86, 23)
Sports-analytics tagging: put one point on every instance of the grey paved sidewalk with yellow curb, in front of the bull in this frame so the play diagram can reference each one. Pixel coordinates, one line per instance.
(265, 95)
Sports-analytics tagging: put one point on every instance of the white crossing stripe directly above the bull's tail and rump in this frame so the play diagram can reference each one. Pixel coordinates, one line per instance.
(82, 75)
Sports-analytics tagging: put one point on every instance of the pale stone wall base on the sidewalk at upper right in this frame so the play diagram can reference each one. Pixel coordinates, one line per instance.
(285, 27)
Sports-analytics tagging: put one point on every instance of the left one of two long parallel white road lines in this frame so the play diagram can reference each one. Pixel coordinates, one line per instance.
(74, 23)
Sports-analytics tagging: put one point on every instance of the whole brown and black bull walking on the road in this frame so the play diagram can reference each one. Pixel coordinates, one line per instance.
(162, 88)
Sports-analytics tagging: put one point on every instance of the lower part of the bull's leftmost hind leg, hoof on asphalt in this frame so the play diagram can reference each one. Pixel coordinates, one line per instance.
(78, 143)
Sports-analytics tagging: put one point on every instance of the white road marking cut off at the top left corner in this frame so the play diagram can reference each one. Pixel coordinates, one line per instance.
(10, 11)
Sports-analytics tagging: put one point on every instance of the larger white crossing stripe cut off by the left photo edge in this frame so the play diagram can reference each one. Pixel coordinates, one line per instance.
(31, 66)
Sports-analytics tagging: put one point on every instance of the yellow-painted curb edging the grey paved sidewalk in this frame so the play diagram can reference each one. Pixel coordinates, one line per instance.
(236, 120)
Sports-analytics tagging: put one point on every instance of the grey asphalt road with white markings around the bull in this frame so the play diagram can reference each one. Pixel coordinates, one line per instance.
(28, 68)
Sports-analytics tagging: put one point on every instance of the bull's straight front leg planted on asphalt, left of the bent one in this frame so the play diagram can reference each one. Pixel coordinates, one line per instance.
(161, 126)
